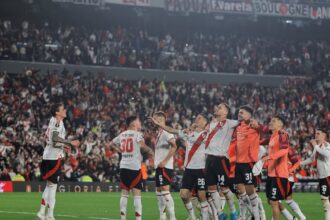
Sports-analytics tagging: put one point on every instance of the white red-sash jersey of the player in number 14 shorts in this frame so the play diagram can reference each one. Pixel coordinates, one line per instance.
(219, 137)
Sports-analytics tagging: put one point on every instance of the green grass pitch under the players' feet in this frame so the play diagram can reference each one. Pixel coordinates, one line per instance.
(18, 206)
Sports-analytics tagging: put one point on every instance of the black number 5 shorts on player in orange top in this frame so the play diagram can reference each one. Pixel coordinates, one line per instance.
(277, 188)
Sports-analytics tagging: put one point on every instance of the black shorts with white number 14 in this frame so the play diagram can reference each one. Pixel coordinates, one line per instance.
(217, 171)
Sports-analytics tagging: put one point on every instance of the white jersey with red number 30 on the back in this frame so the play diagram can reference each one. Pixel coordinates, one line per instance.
(129, 142)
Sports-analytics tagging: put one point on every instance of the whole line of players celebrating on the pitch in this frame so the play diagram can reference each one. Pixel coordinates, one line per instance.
(223, 160)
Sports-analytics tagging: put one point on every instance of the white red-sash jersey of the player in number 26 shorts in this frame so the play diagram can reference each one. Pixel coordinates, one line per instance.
(195, 149)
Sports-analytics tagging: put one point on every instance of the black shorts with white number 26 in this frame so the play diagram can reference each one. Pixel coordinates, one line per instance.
(193, 179)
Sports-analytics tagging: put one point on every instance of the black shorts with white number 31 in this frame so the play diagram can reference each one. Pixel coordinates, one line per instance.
(244, 175)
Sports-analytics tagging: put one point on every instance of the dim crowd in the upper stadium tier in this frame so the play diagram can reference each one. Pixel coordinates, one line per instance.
(138, 48)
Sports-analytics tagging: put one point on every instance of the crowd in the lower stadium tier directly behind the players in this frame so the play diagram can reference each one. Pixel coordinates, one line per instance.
(97, 107)
